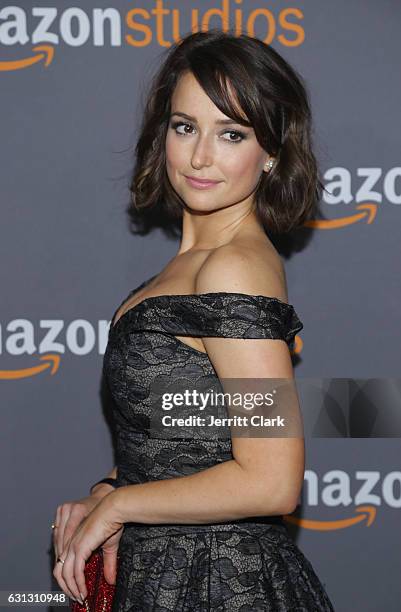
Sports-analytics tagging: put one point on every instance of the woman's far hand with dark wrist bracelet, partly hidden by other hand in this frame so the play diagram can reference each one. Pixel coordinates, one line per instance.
(68, 517)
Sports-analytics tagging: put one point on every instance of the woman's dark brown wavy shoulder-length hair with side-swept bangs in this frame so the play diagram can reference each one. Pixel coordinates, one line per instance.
(274, 99)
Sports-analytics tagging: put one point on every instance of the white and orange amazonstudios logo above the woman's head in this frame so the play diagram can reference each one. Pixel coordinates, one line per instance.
(45, 27)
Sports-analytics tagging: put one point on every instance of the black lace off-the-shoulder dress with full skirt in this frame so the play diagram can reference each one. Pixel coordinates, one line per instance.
(246, 565)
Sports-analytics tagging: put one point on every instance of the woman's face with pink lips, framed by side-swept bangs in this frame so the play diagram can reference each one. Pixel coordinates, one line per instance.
(198, 146)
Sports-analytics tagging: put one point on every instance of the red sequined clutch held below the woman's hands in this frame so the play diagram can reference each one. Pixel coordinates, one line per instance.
(100, 592)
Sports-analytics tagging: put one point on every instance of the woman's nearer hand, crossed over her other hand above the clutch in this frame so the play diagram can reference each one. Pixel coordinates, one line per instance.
(99, 528)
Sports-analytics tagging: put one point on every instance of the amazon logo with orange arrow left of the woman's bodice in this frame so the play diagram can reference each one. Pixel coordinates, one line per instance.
(47, 341)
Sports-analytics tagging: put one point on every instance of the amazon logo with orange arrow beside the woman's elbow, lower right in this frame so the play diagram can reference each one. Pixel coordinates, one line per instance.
(353, 501)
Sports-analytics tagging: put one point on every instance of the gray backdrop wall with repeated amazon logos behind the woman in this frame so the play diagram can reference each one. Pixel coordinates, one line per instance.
(68, 258)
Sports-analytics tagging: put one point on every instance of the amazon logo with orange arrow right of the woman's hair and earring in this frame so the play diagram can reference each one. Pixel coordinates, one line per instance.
(373, 187)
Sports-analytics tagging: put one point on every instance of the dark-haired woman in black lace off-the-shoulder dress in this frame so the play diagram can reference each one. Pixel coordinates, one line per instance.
(225, 147)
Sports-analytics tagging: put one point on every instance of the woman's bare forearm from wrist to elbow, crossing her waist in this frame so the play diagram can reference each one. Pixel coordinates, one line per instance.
(223, 492)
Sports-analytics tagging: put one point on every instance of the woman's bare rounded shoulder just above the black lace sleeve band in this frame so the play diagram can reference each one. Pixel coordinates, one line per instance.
(243, 266)
